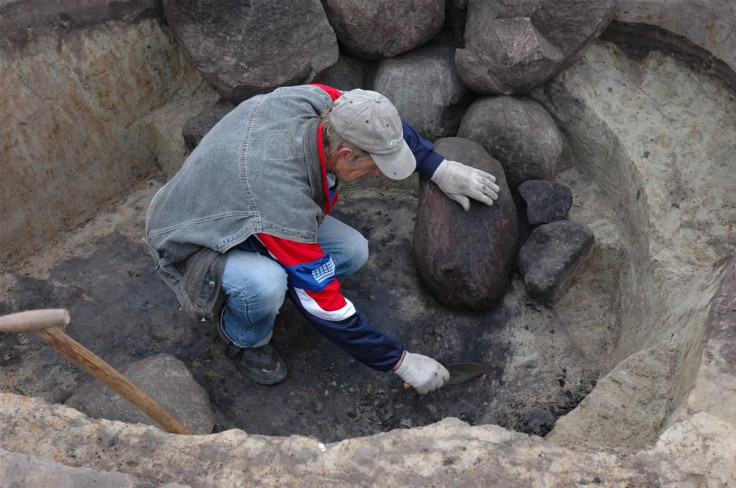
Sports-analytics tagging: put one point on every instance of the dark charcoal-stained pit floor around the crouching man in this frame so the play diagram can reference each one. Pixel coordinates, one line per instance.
(540, 361)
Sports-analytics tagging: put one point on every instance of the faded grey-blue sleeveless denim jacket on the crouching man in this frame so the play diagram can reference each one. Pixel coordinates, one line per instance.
(256, 171)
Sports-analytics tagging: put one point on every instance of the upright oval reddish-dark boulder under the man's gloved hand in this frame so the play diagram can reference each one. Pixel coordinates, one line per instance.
(465, 258)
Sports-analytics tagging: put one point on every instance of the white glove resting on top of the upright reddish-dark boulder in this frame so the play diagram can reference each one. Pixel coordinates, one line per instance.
(460, 183)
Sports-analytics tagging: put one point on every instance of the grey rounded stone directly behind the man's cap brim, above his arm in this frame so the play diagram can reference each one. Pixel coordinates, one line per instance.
(426, 89)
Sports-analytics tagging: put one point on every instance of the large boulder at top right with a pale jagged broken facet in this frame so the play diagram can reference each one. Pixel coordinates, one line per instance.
(511, 47)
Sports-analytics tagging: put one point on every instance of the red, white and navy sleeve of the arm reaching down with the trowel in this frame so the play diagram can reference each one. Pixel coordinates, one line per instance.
(314, 289)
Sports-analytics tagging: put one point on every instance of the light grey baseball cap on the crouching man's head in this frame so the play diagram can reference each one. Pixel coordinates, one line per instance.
(369, 121)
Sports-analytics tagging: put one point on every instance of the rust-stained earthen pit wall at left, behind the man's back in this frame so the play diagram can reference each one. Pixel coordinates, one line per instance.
(80, 110)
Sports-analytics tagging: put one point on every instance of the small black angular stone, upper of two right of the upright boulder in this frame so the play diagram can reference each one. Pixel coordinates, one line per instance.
(545, 201)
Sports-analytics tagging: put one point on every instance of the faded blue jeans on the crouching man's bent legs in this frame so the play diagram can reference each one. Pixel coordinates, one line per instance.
(255, 285)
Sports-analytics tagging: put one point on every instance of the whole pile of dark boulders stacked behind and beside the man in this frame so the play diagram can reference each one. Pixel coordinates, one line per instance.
(467, 80)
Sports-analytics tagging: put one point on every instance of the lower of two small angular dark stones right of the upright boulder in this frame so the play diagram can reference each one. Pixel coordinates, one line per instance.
(550, 257)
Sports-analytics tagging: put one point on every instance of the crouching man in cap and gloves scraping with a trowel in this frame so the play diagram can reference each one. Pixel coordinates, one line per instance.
(246, 221)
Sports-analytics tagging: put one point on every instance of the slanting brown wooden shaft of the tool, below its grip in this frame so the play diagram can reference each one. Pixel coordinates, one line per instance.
(112, 378)
